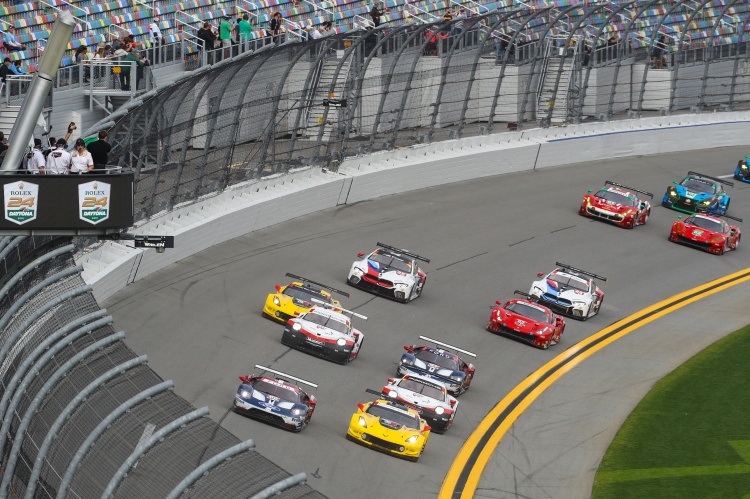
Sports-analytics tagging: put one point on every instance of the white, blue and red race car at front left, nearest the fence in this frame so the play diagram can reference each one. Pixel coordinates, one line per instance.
(275, 400)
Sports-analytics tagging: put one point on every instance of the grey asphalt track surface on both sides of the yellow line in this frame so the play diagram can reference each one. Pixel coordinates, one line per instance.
(199, 320)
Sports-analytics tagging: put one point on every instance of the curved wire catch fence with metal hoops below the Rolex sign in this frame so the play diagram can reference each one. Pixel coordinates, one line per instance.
(77, 403)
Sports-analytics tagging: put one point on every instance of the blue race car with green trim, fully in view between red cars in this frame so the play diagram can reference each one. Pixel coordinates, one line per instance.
(698, 192)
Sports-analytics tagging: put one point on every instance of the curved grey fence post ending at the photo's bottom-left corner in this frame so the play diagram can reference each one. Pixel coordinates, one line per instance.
(20, 434)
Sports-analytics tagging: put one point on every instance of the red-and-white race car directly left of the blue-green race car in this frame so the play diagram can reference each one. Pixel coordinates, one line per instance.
(618, 204)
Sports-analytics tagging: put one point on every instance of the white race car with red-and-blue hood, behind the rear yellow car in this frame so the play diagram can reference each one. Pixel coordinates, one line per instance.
(390, 272)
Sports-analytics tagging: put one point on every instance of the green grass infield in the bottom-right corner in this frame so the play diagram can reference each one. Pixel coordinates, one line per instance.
(689, 437)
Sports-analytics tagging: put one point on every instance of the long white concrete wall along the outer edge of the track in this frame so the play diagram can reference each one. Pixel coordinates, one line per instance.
(251, 206)
